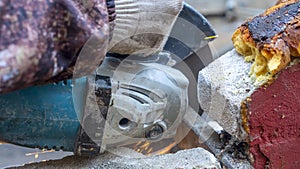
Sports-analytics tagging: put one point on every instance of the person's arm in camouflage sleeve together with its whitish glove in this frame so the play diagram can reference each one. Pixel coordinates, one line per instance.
(51, 40)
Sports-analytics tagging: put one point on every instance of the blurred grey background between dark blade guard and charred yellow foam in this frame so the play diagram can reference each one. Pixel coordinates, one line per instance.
(226, 15)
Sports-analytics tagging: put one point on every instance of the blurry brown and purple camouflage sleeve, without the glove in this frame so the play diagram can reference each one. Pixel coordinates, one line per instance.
(41, 40)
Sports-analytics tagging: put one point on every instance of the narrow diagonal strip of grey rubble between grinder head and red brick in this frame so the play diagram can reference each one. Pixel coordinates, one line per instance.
(227, 153)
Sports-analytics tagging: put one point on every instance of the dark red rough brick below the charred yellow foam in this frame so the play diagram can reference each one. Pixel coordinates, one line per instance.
(274, 121)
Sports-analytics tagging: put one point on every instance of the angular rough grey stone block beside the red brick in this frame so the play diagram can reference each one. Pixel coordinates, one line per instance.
(222, 86)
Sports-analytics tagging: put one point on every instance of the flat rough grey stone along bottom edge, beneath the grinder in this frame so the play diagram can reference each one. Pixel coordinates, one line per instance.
(190, 159)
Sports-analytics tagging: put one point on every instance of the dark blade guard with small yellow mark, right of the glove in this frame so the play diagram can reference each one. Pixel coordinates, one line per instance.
(190, 33)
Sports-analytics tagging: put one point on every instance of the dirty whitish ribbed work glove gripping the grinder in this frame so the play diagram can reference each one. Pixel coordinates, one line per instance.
(143, 26)
